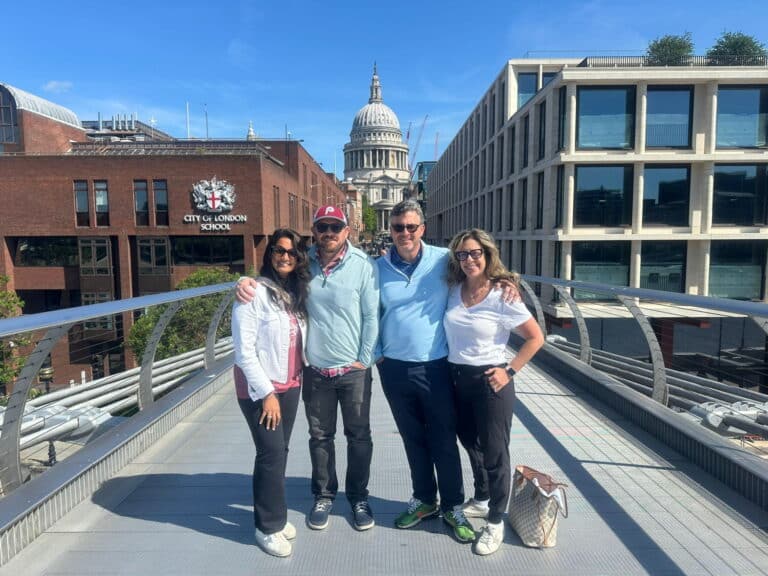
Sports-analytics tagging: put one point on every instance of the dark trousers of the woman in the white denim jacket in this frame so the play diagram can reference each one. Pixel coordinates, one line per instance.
(269, 510)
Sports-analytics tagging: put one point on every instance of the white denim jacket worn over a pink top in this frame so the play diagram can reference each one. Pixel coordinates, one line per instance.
(261, 335)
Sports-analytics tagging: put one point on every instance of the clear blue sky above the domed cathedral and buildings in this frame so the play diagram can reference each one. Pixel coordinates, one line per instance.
(307, 65)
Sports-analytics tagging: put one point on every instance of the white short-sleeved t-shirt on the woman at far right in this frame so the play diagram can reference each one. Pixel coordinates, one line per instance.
(478, 335)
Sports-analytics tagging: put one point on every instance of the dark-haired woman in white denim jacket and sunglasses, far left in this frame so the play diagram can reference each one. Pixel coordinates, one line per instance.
(269, 334)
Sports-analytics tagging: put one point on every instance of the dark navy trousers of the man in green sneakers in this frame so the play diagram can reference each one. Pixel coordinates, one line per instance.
(420, 395)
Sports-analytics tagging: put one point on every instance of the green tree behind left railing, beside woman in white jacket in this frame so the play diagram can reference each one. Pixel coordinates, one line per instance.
(189, 325)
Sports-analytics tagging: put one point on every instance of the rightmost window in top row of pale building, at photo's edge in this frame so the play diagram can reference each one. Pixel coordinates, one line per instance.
(742, 116)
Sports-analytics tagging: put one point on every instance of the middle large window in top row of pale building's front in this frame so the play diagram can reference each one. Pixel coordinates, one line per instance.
(668, 117)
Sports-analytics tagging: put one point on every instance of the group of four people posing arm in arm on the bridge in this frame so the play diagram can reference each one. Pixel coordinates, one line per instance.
(436, 323)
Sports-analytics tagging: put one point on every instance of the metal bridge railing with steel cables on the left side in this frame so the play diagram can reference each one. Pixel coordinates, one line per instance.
(76, 413)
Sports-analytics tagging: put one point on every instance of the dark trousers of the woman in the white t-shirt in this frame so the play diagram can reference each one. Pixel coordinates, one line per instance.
(484, 427)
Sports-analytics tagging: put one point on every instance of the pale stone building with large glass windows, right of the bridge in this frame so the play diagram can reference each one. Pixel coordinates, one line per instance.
(610, 170)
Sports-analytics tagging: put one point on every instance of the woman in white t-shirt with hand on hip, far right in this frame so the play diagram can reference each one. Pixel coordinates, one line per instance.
(477, 324)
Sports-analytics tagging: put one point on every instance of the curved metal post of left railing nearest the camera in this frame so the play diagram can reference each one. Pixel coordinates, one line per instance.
(10, 433)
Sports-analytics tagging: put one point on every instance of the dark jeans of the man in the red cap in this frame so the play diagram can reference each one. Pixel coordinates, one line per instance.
(352, 392)
